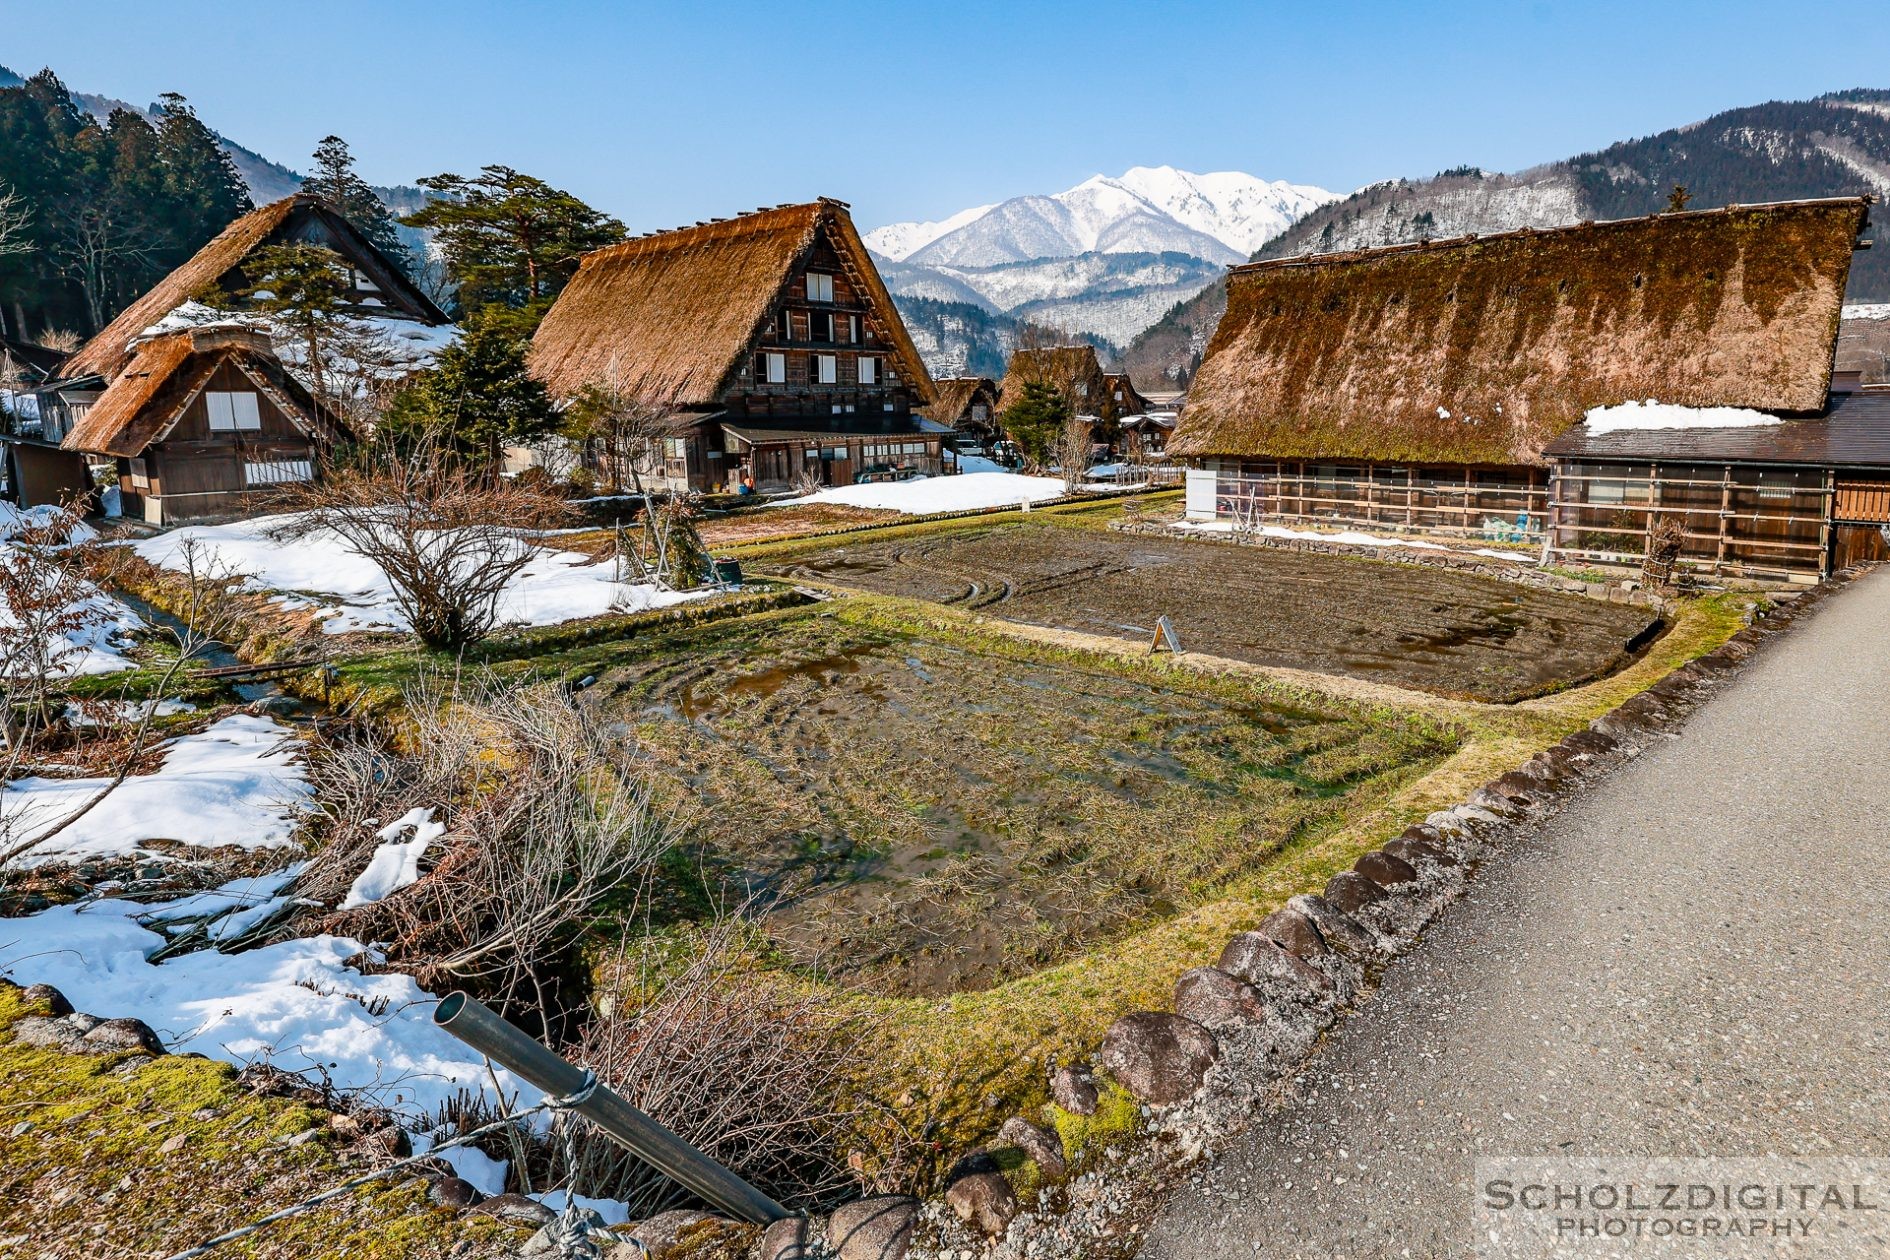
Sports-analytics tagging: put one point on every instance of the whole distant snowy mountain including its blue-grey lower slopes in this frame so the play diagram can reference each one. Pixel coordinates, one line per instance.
(1107, 258)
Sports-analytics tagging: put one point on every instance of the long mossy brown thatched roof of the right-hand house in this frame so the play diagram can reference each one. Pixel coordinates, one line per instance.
(1481, 350)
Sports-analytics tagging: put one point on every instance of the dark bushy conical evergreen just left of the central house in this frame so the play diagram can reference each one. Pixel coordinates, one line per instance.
(477, 398)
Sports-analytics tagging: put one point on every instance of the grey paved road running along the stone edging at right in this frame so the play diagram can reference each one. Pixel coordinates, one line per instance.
(1687, 962)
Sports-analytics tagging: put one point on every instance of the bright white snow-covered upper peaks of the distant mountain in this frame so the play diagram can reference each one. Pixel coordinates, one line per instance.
(1222, 216)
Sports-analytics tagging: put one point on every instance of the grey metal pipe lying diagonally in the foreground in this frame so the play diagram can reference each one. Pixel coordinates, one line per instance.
(481, 1029)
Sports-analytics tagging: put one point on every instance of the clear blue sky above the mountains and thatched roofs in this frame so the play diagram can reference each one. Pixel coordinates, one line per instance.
(674, 112)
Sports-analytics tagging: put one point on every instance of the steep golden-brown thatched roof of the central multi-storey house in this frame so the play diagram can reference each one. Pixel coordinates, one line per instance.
(668, 318)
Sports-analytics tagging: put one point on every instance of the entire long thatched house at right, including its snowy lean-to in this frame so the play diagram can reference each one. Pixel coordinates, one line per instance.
(1566, 386)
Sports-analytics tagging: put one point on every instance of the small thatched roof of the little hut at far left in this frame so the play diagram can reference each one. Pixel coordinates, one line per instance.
(167, 373)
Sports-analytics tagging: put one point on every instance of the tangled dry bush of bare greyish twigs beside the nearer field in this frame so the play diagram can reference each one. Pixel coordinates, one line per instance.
(547, 817)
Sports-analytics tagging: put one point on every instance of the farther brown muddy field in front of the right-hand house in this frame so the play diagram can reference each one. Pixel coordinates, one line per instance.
(1420, 628)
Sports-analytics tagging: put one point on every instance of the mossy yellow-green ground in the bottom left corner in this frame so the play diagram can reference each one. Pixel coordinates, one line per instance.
(114, 1161)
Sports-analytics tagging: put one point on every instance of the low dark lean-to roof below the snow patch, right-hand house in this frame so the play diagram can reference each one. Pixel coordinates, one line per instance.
(1853, 434)
